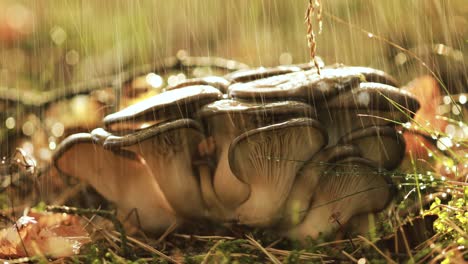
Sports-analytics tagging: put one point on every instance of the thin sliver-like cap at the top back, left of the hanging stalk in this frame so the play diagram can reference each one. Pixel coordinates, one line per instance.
(247, 75)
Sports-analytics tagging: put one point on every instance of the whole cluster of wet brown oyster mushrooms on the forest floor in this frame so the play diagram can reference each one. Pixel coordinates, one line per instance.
(284, 148)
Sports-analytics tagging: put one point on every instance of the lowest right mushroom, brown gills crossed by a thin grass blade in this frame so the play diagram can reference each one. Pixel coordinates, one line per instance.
(351, 187)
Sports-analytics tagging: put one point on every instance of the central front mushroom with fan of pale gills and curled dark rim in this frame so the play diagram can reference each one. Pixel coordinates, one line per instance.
(268, 159)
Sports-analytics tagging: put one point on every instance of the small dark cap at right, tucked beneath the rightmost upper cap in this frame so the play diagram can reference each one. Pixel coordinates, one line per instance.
(382, 144)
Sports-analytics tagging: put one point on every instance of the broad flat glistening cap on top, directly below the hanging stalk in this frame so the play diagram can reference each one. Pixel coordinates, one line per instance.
(302, 85)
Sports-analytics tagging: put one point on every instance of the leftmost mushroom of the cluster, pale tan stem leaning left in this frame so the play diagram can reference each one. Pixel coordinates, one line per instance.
(121, 176)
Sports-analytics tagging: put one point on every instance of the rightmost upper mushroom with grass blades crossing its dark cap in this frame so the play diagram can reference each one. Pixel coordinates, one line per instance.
(370, 104)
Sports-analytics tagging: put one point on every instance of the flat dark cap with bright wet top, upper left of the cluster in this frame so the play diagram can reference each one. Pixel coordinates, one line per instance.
(178, 103)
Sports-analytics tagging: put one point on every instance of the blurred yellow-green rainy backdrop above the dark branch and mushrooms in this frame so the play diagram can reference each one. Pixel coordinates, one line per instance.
(49, 44)
